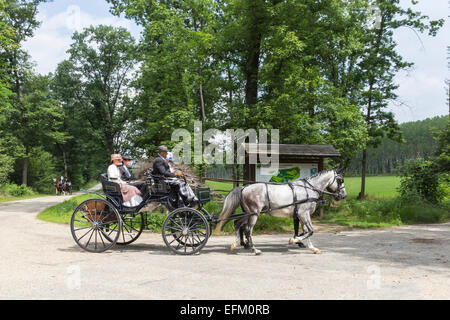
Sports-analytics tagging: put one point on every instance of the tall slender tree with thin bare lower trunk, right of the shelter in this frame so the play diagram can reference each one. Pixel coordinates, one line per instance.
(379, 65)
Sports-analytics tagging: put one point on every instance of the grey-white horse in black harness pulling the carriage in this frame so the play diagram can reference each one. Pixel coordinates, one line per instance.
(281, 200)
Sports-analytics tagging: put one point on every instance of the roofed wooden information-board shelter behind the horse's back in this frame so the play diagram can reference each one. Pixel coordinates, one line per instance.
(295, 161)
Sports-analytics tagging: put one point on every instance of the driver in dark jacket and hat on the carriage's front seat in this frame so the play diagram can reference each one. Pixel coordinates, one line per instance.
(162, 168)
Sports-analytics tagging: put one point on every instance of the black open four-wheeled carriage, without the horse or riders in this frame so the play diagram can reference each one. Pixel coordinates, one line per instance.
(100, 223)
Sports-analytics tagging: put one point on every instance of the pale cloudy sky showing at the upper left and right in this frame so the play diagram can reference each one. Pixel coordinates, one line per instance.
(422, 90)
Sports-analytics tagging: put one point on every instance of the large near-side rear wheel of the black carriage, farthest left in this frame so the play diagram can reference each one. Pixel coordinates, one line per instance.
(96, 225)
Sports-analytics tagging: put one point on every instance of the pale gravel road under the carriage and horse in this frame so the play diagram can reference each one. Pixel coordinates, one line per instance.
(40, 260)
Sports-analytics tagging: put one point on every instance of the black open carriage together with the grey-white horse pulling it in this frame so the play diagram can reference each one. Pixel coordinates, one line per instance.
(100, 223)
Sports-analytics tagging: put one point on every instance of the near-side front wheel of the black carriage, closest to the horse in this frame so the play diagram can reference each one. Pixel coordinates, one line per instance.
(185, 231)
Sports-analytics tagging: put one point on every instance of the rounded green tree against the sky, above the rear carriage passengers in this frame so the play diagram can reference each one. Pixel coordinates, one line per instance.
(99, 73)
